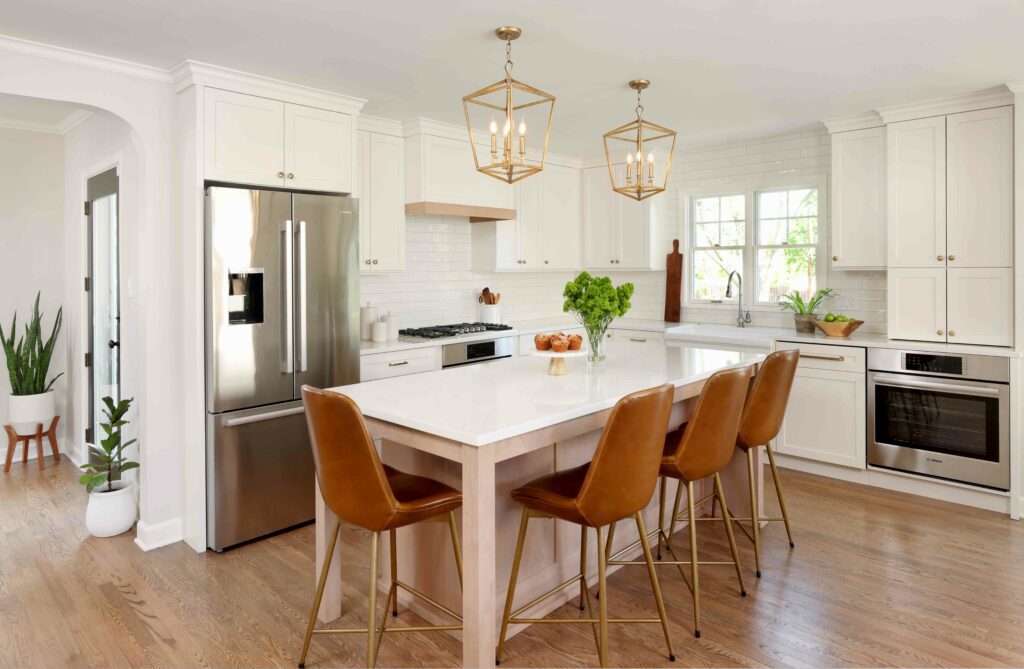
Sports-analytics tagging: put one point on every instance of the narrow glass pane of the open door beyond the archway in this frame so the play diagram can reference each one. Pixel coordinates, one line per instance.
(106, 308)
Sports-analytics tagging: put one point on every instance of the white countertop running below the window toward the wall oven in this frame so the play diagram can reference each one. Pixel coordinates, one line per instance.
(764, 338)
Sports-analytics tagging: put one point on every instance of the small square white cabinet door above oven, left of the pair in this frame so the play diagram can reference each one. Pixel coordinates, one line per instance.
(917, 304)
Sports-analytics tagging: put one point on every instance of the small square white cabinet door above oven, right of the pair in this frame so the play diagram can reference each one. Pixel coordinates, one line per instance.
(980, 306)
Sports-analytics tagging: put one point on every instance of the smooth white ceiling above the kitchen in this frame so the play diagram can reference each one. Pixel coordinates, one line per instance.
(722, 70)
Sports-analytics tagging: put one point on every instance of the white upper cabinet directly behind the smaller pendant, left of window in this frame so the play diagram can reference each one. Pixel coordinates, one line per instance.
(620, 233)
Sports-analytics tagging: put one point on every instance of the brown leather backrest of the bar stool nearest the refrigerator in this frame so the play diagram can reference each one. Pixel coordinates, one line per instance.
(351, 476)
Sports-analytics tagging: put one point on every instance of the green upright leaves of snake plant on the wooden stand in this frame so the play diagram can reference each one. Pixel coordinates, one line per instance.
(29, 358)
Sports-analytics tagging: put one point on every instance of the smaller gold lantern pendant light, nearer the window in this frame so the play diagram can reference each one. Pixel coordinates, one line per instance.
(646, 141)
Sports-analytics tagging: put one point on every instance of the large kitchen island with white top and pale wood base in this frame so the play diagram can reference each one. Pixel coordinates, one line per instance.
(488, 429)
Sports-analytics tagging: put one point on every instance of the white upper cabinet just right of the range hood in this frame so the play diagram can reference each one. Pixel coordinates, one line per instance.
(545, 234)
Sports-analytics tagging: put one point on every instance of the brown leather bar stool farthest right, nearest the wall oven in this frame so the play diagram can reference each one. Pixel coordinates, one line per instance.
(762, 422)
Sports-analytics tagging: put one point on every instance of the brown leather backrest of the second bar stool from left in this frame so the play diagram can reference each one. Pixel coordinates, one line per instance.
(623, 474)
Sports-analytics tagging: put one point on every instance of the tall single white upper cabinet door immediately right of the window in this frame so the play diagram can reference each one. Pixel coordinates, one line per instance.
(859, 230)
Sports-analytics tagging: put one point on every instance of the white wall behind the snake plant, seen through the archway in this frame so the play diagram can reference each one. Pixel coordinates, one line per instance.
(32, 260)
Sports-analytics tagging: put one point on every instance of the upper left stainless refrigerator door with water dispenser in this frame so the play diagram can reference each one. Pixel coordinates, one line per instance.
(250, 350)
